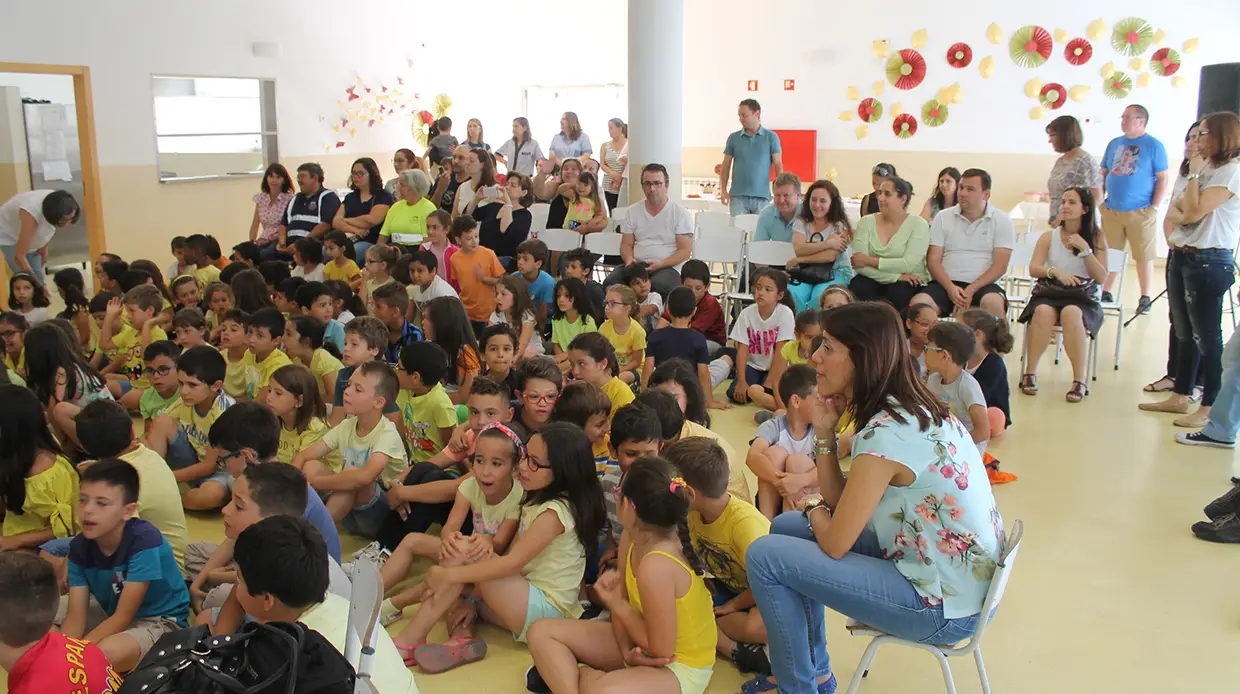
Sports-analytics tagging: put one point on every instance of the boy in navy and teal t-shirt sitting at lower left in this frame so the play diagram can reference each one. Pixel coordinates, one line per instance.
(126, 566)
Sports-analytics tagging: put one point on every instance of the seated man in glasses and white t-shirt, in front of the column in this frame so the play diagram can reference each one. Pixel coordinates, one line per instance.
(659, 234)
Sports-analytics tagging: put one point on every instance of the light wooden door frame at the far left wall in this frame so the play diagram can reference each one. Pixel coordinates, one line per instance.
(90, 154)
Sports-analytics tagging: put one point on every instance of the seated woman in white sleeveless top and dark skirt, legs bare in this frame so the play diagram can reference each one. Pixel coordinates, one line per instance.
(1069, 263)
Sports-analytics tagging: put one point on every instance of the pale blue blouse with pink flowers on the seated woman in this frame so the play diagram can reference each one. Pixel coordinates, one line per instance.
(943, 531)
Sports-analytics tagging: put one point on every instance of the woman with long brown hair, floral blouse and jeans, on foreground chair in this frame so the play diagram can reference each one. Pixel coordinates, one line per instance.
(908, 542)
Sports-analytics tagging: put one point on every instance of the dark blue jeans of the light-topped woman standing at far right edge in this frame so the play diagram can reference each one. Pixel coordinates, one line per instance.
(1196, 287)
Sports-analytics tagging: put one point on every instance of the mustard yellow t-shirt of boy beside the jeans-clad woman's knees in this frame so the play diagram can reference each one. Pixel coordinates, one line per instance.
(722, 545)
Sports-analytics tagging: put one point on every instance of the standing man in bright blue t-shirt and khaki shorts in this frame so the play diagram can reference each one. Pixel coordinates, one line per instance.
(1135, 179)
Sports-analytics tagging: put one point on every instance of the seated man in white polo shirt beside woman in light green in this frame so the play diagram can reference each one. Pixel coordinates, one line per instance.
(970, 248)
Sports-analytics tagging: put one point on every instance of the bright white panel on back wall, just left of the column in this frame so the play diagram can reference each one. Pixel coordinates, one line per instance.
(595, 105)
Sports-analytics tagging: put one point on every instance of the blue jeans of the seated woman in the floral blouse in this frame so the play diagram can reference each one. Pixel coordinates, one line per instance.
(793, 581)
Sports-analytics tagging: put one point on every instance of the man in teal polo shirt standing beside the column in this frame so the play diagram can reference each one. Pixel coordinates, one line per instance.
(750, 154)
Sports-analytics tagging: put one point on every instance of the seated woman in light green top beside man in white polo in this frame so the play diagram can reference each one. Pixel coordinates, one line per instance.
(890, 248)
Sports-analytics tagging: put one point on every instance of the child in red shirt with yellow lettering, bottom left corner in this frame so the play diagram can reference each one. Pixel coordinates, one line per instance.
(38, 660)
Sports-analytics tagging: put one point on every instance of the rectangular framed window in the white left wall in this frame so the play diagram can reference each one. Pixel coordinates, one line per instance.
(210, 127)
